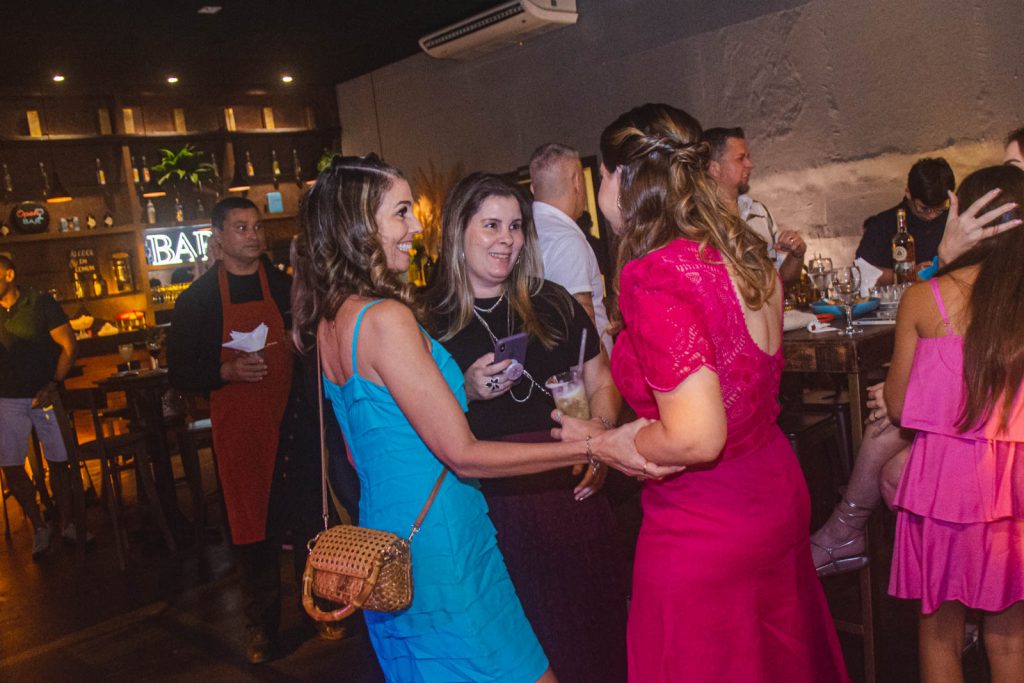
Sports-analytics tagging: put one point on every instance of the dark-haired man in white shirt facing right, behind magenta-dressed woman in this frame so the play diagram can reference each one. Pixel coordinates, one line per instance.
(731, 167)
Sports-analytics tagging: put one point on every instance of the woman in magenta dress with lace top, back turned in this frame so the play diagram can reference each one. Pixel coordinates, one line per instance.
(723, 585)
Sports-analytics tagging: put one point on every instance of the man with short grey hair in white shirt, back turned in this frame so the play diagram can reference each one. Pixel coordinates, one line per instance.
(557, 181)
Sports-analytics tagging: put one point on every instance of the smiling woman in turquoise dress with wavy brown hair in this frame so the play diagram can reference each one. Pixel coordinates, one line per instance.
(400, 399)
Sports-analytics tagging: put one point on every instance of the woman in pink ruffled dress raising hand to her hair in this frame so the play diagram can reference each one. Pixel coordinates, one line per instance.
(956, 378)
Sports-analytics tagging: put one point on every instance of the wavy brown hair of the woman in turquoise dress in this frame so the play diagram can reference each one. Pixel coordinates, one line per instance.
(338, 252)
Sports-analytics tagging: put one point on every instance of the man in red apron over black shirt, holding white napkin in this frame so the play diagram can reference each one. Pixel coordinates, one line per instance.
(248, 396)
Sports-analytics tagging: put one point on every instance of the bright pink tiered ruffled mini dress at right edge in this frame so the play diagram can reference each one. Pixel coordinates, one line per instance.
(960, 533)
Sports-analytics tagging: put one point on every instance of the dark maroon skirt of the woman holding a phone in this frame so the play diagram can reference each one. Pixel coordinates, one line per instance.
(562, 556)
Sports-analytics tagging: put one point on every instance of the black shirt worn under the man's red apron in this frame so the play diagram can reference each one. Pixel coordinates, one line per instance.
(197, 328)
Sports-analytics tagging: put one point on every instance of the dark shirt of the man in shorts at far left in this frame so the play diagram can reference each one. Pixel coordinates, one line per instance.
(28, 353)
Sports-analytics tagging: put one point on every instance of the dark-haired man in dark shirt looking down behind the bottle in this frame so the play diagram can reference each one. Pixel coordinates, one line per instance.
(925, 202)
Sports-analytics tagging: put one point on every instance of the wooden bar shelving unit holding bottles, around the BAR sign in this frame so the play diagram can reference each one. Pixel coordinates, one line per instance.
(73, 140)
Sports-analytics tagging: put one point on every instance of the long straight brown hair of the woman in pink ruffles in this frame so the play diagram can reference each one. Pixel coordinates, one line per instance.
(994, 343)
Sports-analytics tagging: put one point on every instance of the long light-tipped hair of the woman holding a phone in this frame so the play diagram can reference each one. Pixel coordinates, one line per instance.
(451, 293)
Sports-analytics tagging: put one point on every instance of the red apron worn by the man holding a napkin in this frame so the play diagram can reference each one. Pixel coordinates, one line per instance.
(247, 416)
